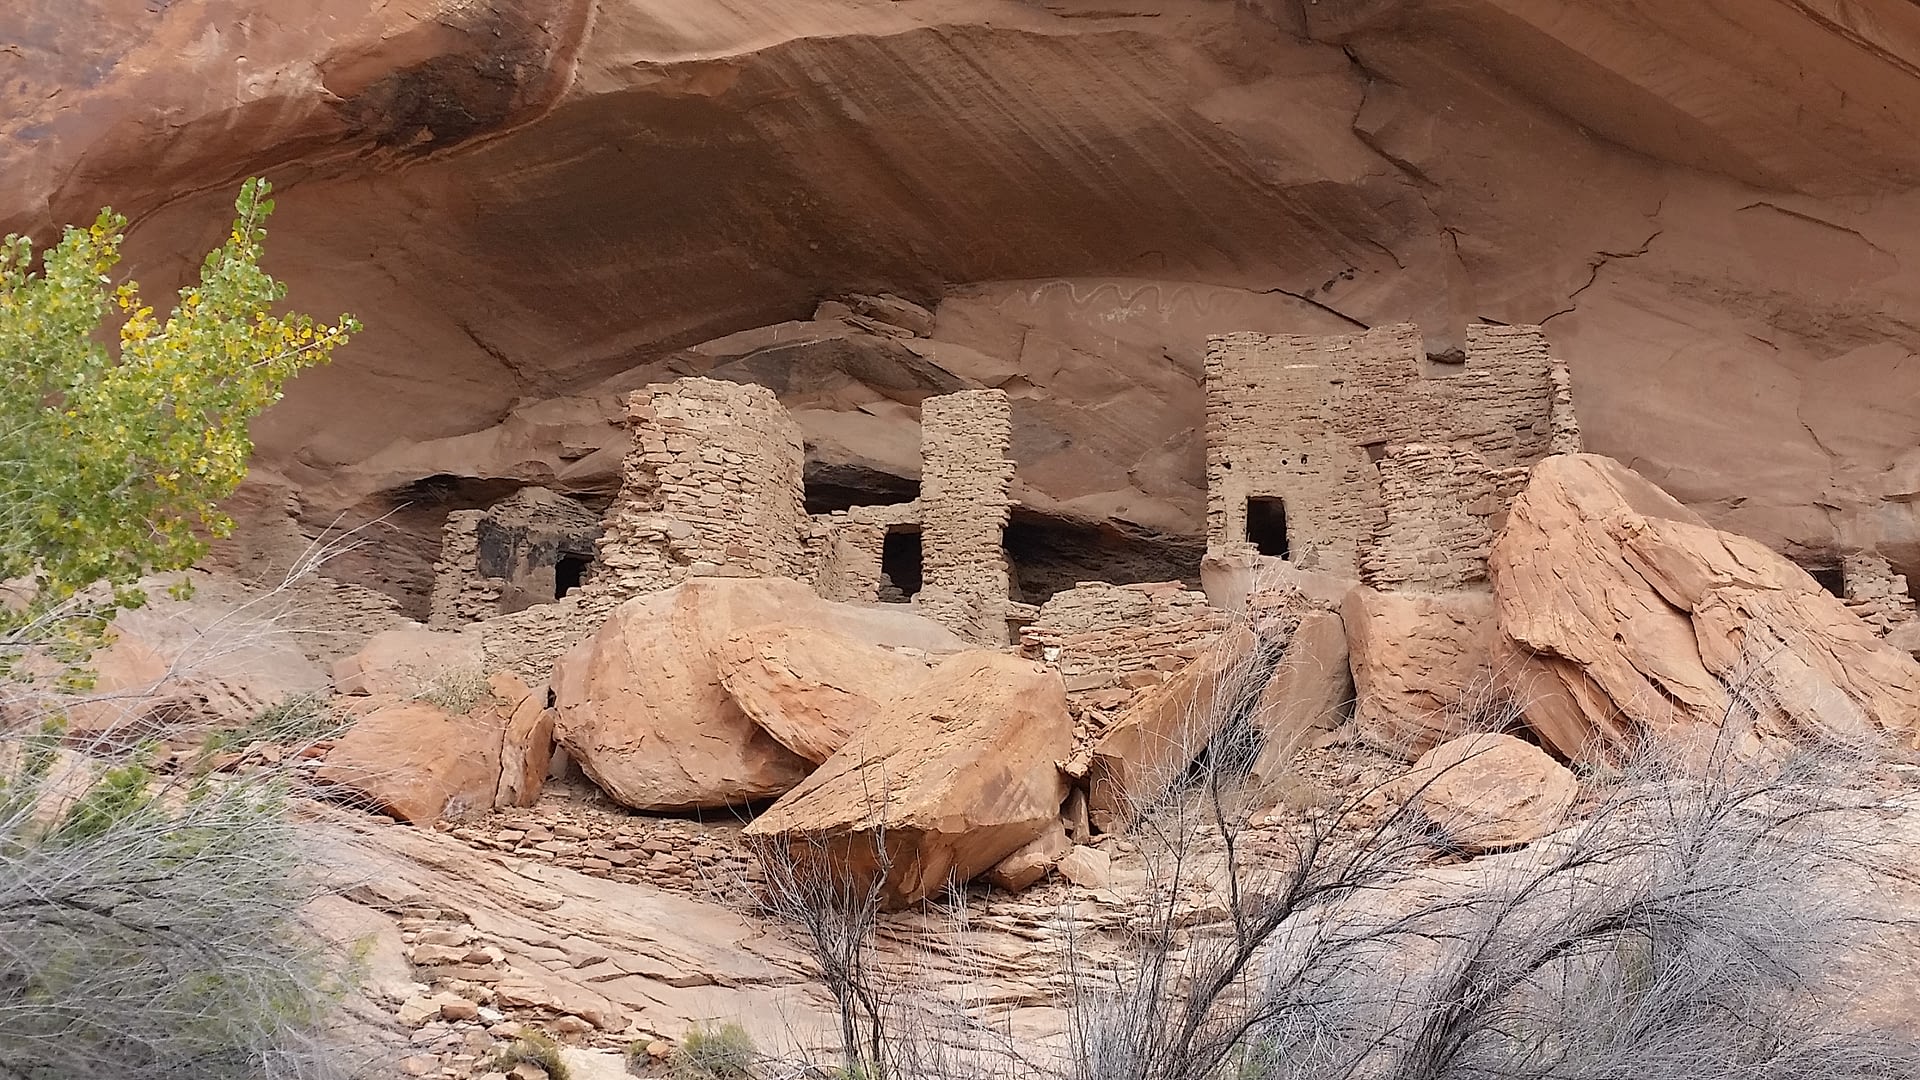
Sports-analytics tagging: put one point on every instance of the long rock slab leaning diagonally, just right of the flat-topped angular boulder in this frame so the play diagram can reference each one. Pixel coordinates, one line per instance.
(1161, 735)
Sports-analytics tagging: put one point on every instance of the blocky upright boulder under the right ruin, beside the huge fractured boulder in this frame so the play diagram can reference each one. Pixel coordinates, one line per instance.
(1420, 664)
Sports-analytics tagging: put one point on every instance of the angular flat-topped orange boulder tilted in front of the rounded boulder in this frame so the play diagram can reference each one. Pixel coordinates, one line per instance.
(948, 783)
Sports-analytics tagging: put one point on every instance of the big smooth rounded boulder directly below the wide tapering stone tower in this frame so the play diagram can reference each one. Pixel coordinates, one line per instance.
(644, 710)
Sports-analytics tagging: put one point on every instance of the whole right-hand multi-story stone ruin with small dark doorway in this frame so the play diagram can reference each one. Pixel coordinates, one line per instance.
(1360, 456)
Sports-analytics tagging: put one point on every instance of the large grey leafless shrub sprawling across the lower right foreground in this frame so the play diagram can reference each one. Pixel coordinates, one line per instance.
(1679, 929)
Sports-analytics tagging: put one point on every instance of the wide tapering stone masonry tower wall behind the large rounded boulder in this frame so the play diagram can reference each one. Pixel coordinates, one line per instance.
(711, 487)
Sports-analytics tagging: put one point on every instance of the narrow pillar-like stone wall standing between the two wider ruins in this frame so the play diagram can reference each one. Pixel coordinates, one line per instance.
(965, 503)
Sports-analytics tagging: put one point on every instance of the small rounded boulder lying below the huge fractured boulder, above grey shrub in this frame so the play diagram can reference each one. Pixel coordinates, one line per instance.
(1487, 791)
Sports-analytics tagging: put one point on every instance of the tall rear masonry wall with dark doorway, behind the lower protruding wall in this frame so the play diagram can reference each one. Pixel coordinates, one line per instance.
(1308, 420)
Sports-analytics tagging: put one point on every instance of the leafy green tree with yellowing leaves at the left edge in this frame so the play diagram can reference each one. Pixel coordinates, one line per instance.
(116, 449)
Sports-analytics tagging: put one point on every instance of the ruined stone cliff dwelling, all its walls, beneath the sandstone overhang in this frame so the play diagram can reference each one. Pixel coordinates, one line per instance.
(1356, 456)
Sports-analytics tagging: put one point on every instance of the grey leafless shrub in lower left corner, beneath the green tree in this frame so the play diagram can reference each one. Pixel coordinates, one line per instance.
(153, 914)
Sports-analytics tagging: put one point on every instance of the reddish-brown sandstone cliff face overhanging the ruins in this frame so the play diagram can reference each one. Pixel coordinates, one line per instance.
(535, 205)
